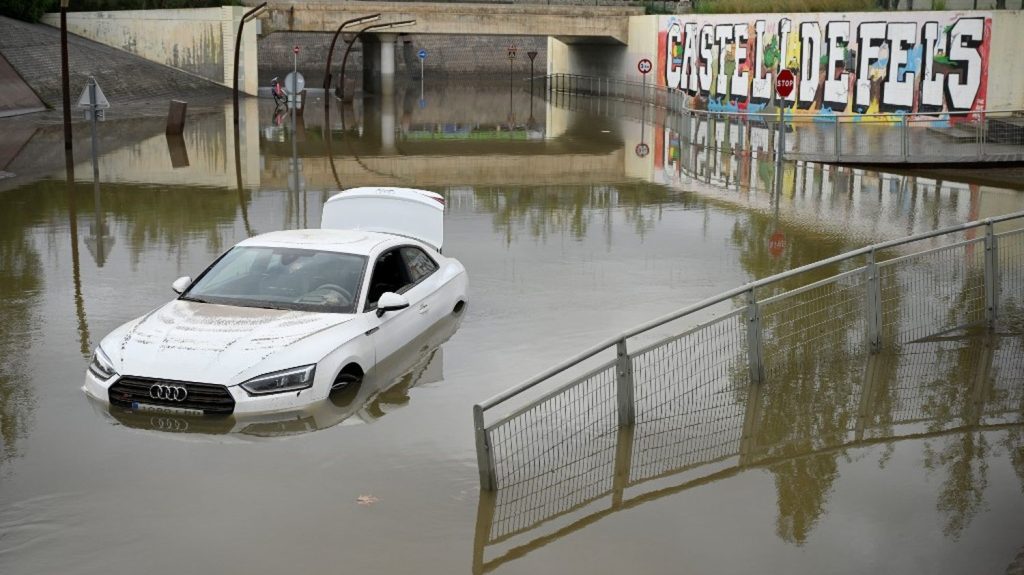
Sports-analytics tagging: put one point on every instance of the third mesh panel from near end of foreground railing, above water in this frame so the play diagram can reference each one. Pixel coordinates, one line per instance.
(829, 315)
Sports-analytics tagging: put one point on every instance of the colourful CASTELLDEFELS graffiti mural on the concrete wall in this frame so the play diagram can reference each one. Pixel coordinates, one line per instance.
(926, 64)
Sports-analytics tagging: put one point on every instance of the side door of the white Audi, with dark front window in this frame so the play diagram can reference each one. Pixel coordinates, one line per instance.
(396, 329)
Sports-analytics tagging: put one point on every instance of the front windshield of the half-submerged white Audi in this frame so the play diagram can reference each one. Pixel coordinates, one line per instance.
(282, 279)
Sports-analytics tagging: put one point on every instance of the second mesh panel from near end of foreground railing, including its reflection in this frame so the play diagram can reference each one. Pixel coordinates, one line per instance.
(690, 397)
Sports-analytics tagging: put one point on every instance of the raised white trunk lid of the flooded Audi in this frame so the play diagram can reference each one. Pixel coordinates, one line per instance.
(401, 211)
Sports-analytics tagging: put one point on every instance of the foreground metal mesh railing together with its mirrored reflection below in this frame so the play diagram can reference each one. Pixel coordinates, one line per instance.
(696, 405)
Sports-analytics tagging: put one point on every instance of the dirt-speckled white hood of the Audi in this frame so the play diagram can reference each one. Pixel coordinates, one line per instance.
(217, 344)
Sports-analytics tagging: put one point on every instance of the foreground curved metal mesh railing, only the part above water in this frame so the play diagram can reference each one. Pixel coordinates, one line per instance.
(905, 290)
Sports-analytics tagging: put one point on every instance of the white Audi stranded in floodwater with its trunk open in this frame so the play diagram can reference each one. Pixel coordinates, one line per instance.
(281, 320)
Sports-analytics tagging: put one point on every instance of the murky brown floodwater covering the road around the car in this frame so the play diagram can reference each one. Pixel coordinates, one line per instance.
(571, 232)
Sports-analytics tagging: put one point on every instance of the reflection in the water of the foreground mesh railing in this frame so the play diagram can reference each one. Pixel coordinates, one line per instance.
(795, 432)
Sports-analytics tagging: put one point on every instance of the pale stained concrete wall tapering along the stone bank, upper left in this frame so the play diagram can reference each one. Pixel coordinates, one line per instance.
(197, 41)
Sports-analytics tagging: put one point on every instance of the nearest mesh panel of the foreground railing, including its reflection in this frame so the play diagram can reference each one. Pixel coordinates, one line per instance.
(557, 454)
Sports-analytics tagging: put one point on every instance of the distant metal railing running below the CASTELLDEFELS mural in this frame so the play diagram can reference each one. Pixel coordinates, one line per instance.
(881, 139)
